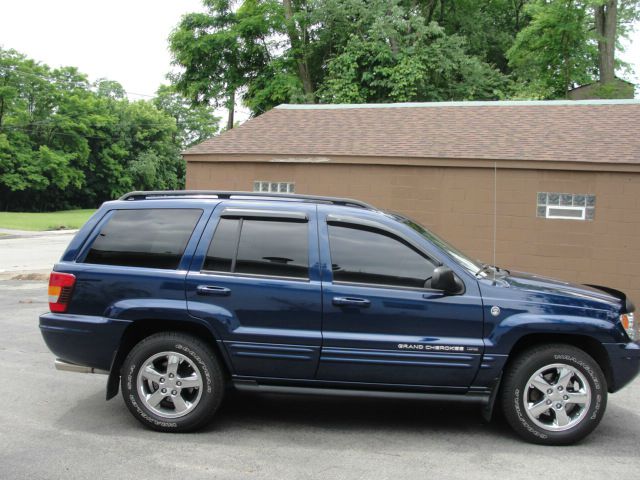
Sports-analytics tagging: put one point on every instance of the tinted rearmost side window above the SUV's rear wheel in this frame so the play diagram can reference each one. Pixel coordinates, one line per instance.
(151, 238)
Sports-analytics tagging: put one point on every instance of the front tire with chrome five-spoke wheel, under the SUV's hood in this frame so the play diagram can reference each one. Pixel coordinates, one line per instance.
(554, 394)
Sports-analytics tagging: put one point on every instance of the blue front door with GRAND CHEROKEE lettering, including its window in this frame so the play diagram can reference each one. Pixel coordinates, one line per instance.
(380, 325)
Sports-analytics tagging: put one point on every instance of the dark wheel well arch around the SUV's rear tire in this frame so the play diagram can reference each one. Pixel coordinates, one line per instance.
(140, 329)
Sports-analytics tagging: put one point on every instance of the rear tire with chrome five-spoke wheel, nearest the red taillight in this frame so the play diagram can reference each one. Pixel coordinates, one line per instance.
(172, 382)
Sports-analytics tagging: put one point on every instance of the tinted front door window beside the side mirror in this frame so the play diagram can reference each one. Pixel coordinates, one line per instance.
(372, 256)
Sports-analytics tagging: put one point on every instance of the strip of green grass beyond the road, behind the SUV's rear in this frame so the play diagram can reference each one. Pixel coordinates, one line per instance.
(63, 220)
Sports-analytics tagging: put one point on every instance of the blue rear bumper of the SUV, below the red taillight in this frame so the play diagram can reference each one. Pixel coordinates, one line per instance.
(81, 339)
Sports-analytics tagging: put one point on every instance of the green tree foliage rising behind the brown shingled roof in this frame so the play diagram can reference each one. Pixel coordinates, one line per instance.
(297, 51)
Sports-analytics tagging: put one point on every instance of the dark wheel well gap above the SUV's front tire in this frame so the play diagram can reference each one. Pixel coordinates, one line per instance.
(587, 344)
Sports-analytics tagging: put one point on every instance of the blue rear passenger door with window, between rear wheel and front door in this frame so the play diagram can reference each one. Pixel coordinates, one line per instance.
(255, 279)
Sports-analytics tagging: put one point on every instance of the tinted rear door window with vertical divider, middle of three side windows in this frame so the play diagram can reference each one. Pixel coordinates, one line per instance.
(260, 247)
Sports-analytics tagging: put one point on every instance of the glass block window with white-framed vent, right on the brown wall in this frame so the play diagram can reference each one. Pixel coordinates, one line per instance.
(566, 206)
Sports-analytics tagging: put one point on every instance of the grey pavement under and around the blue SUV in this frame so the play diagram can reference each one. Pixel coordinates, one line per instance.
(57, 425)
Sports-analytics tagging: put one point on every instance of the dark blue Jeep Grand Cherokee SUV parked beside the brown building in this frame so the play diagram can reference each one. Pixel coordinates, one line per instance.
(179, 295)
